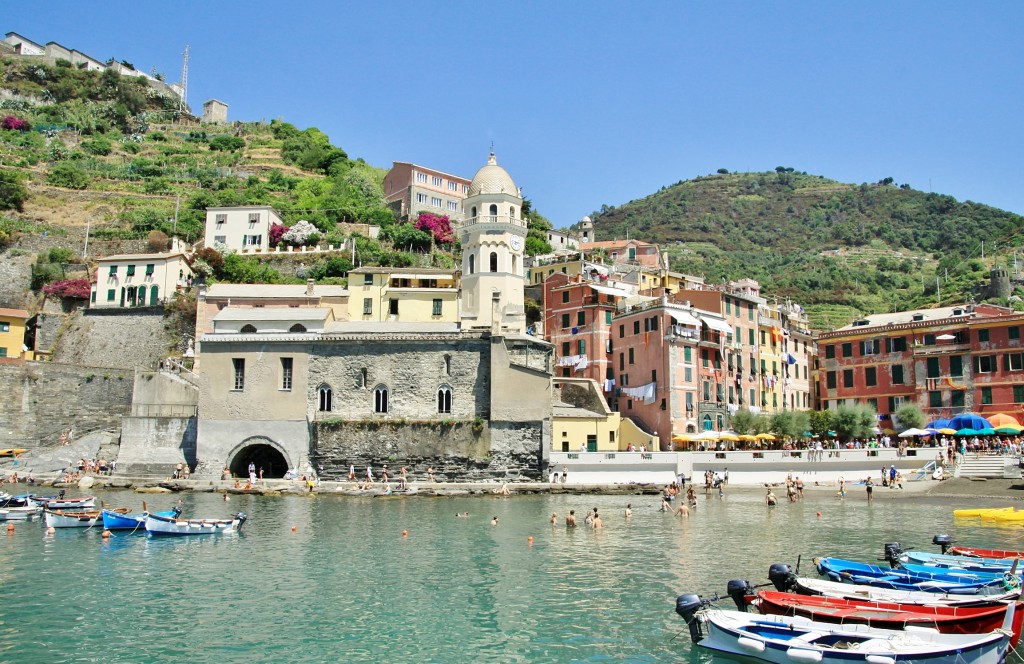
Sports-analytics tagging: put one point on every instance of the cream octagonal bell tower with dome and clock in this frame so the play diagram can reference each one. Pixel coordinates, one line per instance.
(493, 236)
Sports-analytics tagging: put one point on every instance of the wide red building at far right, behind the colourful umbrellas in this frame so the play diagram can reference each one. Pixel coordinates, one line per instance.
(948, 361)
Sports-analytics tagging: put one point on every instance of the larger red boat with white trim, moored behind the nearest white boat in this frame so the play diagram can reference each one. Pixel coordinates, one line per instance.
(949, 620)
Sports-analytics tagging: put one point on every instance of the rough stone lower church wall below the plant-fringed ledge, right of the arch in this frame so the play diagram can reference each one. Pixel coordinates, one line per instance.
(461, 452)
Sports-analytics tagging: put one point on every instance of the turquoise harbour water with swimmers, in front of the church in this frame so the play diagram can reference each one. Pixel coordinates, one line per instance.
(348, 587)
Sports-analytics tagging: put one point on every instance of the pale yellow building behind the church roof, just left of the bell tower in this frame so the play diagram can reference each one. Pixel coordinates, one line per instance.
(406, 295)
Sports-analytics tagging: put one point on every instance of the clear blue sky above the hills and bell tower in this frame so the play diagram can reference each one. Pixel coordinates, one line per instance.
(602, 103)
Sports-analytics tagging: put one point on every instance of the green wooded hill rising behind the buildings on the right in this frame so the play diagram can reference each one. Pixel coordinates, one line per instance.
(838, 248)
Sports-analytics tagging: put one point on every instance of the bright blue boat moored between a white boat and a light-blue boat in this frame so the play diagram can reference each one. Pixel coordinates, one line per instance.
(917, 578)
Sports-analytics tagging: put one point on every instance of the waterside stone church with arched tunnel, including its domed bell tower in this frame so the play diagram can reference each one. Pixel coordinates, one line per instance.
(295, 388)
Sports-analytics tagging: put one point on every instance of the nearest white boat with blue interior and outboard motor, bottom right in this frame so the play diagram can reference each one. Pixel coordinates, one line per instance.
(786, 640)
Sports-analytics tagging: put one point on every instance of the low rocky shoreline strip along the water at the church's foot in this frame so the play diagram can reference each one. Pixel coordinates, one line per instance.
(294, 488)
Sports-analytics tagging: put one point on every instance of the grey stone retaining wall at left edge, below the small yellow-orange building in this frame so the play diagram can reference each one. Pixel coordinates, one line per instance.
(44, 399)
